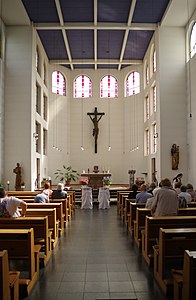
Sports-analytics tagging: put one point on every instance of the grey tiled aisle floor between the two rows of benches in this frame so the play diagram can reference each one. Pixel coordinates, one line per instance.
(96, 259)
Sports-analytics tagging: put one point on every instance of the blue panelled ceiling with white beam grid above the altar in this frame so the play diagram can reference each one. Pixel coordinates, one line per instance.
(95, 33)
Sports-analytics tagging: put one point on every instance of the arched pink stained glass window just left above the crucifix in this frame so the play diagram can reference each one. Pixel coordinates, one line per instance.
(82, 87)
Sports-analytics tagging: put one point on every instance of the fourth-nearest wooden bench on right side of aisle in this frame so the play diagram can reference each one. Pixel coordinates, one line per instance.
(139, 224)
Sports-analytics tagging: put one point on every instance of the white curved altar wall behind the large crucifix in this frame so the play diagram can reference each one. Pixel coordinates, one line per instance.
(114, 129)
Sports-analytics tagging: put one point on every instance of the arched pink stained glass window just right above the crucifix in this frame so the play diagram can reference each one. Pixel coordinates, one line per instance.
(108, 87)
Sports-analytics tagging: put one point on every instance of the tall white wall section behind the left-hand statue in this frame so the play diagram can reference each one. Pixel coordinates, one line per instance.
(17, 146)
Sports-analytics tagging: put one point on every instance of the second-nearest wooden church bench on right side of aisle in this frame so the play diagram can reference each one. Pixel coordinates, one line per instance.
(170, 252)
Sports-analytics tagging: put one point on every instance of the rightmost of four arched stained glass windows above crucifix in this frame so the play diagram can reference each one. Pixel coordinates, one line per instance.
(133, 84)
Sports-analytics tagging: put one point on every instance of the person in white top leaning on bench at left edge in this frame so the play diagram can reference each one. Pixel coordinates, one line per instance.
(9, 206)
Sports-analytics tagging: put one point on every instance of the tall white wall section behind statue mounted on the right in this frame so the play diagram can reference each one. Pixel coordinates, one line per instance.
(173, 112)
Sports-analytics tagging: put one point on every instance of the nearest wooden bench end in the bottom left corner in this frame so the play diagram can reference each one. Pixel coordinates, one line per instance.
(9, 281)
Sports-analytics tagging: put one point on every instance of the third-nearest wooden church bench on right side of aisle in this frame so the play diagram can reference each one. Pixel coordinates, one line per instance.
(150, 233)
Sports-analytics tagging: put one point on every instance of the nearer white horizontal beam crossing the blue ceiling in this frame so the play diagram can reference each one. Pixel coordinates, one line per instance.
(92, 26)
